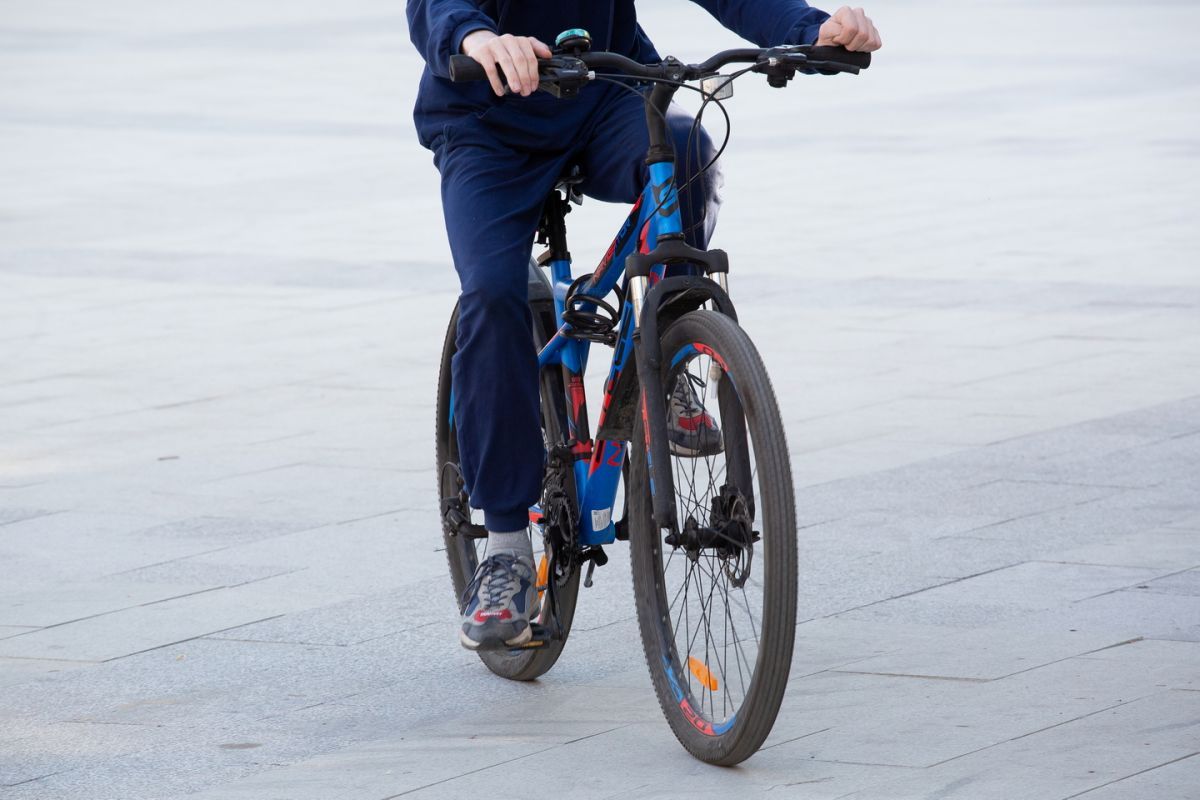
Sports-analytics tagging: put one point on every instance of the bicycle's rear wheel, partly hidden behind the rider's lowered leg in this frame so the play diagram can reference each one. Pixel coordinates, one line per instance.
(465, 554)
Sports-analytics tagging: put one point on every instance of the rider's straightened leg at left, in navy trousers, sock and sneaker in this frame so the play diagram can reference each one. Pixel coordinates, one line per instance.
(493, 199)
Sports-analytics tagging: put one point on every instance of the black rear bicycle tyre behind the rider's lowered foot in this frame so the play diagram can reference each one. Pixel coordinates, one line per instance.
(463, 554)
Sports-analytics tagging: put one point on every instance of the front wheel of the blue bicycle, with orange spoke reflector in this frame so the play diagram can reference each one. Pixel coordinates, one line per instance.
(717, 601)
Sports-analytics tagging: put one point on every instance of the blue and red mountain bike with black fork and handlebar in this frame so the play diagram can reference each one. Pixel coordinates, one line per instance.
(703, 531)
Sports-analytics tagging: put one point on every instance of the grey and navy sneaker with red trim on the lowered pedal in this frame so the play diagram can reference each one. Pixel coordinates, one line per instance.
(502, 601)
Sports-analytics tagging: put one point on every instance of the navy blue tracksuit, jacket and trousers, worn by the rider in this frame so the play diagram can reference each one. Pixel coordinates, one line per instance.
(500, 158)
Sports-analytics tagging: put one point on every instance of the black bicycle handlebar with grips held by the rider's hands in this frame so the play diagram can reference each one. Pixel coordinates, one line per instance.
(779, 64)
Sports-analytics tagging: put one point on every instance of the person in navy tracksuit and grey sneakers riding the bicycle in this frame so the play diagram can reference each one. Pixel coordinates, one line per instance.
(501, 151)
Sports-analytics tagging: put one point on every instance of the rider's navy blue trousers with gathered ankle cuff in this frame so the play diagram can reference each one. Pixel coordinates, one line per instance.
(497, 170)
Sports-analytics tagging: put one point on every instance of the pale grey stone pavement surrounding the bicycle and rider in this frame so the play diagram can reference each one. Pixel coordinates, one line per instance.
(973, 273)
